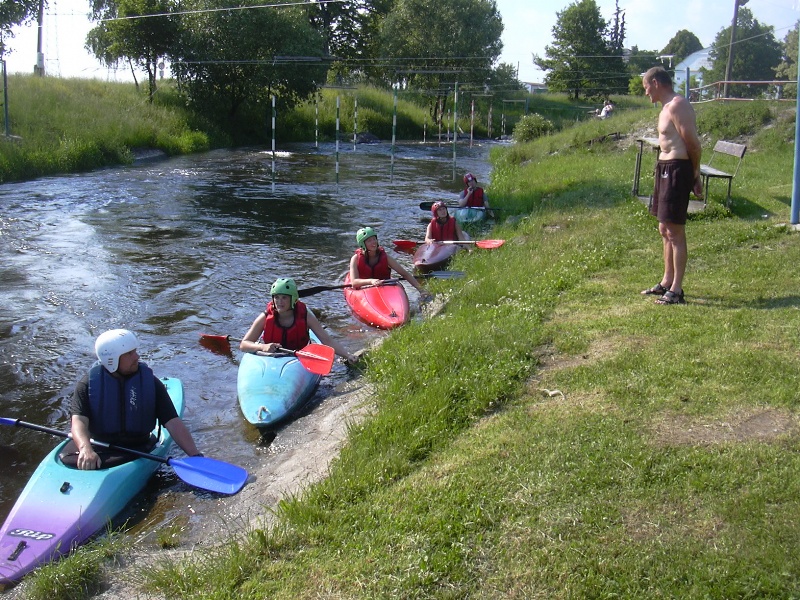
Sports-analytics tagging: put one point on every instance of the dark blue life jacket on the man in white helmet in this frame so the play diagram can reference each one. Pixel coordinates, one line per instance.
(121, 406)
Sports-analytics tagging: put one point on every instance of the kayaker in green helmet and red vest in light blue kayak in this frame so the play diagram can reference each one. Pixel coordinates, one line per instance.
(285, 324)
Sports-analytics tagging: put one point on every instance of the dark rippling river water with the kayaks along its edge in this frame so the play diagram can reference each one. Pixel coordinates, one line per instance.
(182, 246)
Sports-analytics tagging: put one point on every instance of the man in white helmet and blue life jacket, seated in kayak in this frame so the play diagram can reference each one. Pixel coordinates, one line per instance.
(118, 402)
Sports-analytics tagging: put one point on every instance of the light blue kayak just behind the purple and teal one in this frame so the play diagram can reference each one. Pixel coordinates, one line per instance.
(271, 388)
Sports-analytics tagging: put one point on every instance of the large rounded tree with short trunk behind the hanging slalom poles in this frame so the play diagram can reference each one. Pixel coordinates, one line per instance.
(459, 37)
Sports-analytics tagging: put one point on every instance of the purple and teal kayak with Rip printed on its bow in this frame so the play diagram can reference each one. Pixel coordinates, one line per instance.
(62, 507)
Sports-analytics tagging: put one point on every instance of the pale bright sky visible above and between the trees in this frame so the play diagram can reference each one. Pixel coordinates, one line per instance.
(528, 30)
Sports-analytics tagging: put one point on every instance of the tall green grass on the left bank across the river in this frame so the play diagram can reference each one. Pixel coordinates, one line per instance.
(73, 125)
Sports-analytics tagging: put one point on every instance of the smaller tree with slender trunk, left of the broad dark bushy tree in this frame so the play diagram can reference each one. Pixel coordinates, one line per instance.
(125, 33)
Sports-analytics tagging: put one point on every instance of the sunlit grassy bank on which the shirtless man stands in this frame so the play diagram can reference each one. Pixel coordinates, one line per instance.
(554, 434)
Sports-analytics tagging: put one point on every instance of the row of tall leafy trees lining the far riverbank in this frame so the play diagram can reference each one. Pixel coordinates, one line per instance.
(229, 58)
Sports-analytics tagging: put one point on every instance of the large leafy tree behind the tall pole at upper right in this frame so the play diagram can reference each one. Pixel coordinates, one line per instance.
(756, 54)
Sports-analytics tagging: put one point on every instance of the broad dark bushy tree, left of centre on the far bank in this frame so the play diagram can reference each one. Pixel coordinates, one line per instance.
(232, 60)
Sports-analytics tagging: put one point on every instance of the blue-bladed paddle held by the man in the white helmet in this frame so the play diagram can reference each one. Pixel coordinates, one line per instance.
(205, 473)
